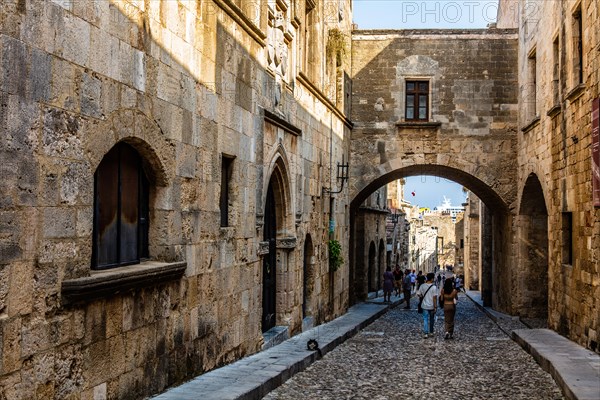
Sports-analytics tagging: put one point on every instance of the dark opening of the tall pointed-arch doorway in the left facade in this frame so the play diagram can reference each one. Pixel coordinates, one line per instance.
(270, 263)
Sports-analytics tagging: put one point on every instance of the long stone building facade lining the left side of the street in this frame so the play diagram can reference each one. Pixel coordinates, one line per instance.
(166, 186)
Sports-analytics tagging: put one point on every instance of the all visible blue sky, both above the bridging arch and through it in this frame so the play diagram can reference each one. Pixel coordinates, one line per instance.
(417, 14)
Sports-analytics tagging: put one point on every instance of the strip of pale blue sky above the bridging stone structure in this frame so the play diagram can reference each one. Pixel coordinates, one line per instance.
(414, 14)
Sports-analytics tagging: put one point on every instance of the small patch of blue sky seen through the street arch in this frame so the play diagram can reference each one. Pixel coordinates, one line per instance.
(430, 191)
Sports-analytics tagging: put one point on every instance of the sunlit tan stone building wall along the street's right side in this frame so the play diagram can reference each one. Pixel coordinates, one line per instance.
(556, 150)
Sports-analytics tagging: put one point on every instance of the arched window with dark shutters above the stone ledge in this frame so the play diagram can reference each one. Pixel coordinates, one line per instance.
(120, 209)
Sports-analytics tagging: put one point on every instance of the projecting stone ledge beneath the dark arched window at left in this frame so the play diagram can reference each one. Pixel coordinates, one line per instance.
(117, 280)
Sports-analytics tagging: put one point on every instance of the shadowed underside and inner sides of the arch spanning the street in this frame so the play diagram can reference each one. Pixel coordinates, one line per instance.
(495, 239)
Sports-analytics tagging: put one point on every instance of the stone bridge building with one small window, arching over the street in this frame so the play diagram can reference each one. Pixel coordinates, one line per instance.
(426, 103)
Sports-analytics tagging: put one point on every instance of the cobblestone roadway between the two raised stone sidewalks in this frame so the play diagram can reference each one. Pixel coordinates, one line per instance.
(390, 359)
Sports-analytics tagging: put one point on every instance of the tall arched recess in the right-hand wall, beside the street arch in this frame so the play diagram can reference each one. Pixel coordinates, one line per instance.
(533, 251)
